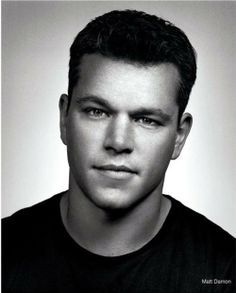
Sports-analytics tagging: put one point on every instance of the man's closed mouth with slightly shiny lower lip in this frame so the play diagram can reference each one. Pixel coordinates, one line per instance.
(116, 171)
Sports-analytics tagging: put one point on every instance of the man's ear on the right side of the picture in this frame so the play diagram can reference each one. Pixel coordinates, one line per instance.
(183, 130)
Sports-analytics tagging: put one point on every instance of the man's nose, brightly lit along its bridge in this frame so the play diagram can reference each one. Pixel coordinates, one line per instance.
(119, 136)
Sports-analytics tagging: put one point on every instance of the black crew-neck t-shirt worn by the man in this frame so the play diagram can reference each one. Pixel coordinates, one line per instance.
(189, 254)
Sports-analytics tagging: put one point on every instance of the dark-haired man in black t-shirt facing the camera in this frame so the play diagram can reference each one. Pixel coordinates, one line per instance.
(122, 121)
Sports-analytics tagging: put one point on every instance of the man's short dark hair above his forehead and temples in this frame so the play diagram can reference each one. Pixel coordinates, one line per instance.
(137, 37)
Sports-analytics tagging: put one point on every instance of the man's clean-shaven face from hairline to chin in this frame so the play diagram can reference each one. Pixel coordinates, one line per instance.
(121, 130)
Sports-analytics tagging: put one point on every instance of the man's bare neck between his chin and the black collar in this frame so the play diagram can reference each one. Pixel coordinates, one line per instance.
(112, 234)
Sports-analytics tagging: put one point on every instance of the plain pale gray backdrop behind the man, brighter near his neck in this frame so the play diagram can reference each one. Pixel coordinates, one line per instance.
(35, 51)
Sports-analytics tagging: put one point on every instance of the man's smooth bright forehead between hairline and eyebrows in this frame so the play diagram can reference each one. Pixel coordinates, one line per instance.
(126, 84)
